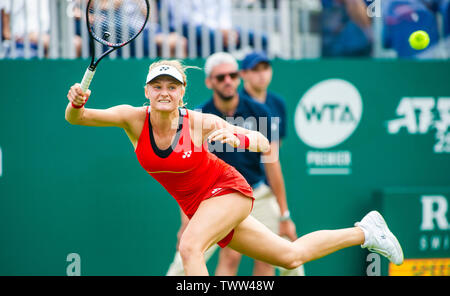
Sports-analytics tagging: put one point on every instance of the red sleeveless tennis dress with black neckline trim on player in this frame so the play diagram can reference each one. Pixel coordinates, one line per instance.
(189, 173)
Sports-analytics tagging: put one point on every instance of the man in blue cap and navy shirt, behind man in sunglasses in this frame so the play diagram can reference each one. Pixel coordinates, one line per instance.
(257, 73)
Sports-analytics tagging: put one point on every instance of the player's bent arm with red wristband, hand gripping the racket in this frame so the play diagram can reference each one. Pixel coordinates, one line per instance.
(114, 116)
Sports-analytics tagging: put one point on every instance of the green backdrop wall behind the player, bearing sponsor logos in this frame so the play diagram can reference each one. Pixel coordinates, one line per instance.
(70, 189)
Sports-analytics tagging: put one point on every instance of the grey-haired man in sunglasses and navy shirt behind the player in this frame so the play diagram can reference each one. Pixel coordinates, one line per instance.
(222, 77)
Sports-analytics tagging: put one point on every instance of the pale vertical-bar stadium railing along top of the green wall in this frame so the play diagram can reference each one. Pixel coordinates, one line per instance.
(282, 27)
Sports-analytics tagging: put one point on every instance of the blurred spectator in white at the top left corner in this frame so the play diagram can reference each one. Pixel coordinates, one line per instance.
(24, 19)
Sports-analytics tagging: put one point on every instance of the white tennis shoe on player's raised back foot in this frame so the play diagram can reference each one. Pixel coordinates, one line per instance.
(379, 239)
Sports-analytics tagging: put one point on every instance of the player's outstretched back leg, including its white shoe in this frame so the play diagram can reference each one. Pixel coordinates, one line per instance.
(255, 240)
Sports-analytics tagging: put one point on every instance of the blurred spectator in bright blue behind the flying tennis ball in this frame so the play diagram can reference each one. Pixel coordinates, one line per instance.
(402, 18)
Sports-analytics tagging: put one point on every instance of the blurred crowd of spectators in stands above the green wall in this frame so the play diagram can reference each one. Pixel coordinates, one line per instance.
(346, 26)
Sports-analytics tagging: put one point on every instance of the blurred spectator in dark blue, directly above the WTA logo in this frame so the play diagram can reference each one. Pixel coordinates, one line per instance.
(346, 29)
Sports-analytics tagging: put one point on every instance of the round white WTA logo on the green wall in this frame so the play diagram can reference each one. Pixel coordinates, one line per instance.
(328, 113)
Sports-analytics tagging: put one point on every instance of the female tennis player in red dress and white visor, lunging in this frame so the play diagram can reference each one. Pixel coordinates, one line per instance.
(171, 145)
